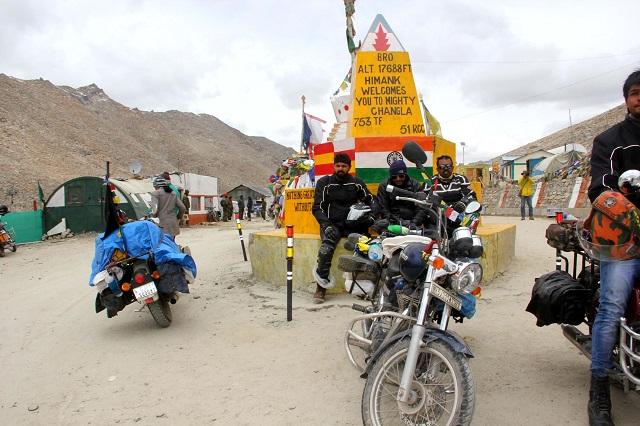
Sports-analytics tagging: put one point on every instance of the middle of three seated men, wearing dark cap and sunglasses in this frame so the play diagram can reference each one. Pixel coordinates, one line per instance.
(390, 209)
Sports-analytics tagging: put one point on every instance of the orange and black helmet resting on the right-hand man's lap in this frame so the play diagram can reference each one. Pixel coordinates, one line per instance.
(612, 229)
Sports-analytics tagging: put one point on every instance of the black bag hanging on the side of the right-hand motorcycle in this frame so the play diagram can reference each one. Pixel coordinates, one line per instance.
(558, 298)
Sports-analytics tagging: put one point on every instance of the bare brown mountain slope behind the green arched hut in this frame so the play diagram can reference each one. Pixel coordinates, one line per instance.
(52, 133)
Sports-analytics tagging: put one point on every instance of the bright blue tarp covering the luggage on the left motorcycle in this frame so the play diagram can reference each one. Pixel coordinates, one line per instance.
(141, 239)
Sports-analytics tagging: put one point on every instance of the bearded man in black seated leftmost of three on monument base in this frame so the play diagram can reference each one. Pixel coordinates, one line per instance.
(334, 196)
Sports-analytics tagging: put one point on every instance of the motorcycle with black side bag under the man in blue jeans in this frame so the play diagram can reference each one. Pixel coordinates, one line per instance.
(578, 286)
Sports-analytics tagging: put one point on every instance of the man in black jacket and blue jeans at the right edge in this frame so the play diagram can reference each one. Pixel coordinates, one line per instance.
(614, 151)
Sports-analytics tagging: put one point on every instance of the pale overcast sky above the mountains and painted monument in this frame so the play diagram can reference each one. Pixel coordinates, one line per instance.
(497, 74)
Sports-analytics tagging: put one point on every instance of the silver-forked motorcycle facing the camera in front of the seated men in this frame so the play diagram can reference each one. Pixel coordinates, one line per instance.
(416, 369)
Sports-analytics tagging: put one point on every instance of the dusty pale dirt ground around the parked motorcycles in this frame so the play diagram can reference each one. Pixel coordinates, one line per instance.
(231, 358)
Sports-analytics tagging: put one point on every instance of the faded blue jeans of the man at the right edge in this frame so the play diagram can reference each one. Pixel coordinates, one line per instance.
(617, 280)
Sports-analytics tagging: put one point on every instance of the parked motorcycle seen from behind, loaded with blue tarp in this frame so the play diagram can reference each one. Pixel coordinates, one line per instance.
(140, 264)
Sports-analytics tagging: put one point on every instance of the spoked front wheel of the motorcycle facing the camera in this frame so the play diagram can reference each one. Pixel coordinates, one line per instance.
(443, 388)
